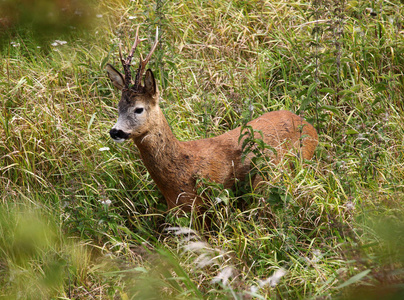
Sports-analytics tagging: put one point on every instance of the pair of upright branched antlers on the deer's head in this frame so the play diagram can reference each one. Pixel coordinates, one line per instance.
(126, 63)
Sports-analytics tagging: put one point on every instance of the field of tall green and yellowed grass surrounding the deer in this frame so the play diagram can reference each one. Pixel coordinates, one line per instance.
(80, 217)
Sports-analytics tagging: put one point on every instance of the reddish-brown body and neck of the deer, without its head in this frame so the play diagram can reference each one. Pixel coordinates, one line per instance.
(175, 165)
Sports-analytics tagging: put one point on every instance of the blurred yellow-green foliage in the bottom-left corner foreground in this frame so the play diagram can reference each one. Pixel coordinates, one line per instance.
(36, 261)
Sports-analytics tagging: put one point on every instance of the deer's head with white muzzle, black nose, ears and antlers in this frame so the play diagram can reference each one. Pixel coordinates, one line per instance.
(139, 103)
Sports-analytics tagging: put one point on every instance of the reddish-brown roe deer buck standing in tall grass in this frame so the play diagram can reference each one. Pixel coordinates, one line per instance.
(174, 165)
